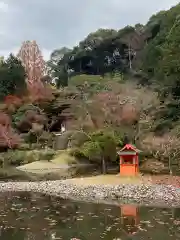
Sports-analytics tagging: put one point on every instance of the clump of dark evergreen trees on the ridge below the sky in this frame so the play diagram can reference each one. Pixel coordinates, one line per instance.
(101, 52)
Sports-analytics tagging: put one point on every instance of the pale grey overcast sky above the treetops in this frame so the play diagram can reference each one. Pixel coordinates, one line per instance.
(57, 23)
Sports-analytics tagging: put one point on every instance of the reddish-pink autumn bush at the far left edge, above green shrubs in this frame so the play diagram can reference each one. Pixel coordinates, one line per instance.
(8, 138)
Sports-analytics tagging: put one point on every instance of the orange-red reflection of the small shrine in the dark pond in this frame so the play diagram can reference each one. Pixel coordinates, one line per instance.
(129, 218)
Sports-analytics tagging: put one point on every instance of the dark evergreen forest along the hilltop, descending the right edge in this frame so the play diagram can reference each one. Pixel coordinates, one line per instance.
(149, 53)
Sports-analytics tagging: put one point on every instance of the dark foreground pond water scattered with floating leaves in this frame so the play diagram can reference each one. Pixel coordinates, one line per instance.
(33, 216)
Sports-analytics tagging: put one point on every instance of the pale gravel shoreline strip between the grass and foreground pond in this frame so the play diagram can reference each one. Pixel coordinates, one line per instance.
(151, 195)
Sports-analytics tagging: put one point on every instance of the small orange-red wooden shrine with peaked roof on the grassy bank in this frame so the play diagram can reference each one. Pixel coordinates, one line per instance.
(129, 161)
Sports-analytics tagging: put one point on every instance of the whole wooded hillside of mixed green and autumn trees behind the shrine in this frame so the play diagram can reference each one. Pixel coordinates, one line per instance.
(116, 86)
